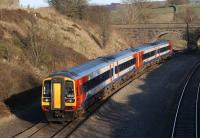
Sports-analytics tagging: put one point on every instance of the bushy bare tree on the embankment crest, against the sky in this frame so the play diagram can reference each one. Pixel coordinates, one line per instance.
(70, 8)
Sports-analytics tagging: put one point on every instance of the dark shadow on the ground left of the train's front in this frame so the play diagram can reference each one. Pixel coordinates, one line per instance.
(26, 105)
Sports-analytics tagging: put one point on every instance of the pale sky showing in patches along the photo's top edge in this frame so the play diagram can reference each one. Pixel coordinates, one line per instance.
(43, 3)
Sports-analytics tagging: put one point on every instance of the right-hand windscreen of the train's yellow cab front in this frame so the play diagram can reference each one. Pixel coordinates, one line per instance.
(69, 89)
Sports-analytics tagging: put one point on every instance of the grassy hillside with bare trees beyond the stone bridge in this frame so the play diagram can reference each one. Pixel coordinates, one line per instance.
(162, 14)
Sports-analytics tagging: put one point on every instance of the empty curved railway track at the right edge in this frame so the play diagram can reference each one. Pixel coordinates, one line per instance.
(187, 116)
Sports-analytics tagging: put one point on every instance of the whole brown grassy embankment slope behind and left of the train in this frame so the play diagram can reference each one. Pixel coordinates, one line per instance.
(55, 41)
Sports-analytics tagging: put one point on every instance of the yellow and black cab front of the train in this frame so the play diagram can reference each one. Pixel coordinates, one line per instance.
(58, 99)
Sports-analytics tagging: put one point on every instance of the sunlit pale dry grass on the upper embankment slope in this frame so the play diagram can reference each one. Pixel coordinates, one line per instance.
(76, 36)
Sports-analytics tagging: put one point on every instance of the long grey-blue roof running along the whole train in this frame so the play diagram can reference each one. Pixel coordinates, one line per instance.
(93, 65)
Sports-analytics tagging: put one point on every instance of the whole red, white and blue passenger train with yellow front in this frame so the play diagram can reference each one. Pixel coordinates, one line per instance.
(66, 94)
